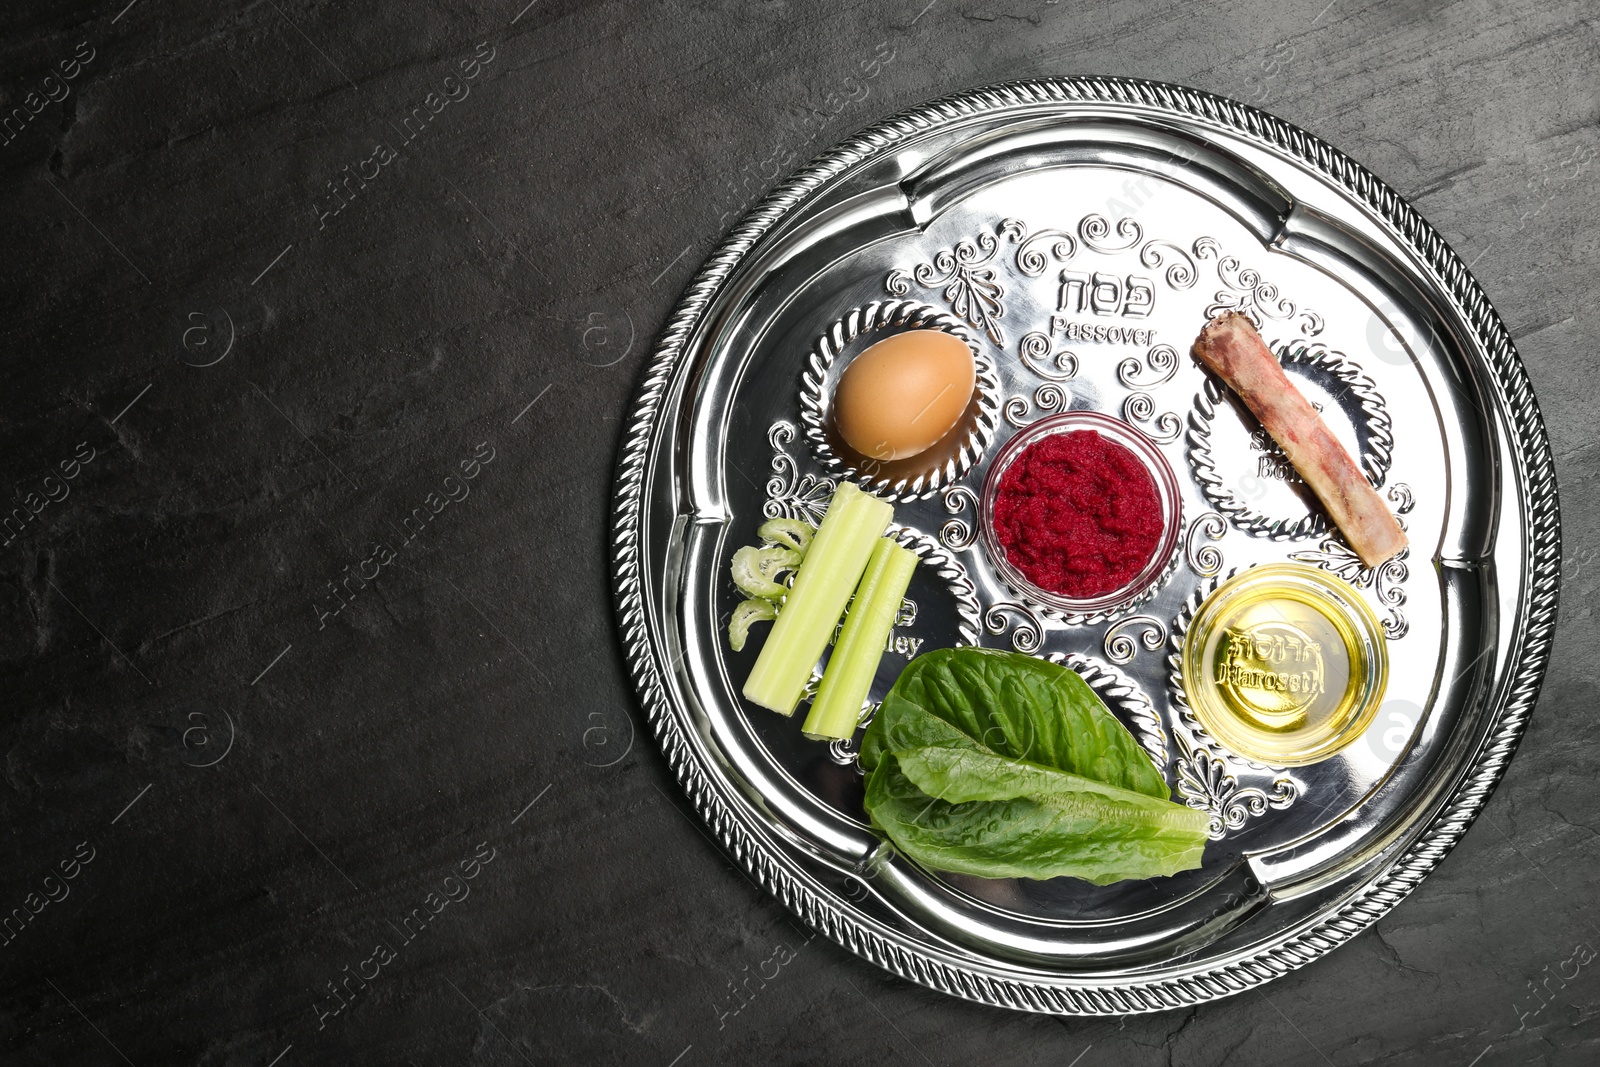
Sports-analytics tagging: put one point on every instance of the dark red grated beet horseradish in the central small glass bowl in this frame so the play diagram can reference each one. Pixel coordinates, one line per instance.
(1078, 514)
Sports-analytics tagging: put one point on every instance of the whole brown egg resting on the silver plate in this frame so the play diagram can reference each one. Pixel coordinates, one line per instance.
(905, 393)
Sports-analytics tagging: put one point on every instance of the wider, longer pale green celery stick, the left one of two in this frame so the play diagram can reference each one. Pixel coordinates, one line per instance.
(833, 565)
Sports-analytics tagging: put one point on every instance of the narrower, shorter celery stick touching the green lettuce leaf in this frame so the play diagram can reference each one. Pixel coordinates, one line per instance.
(860, 647)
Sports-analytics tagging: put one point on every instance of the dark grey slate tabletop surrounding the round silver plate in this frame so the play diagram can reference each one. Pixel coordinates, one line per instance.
(321, 322)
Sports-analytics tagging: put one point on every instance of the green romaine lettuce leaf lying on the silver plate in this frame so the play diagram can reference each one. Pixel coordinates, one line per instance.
(1007, 767)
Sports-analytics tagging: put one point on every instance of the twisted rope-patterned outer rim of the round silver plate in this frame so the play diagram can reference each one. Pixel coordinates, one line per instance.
(1530, 645)
